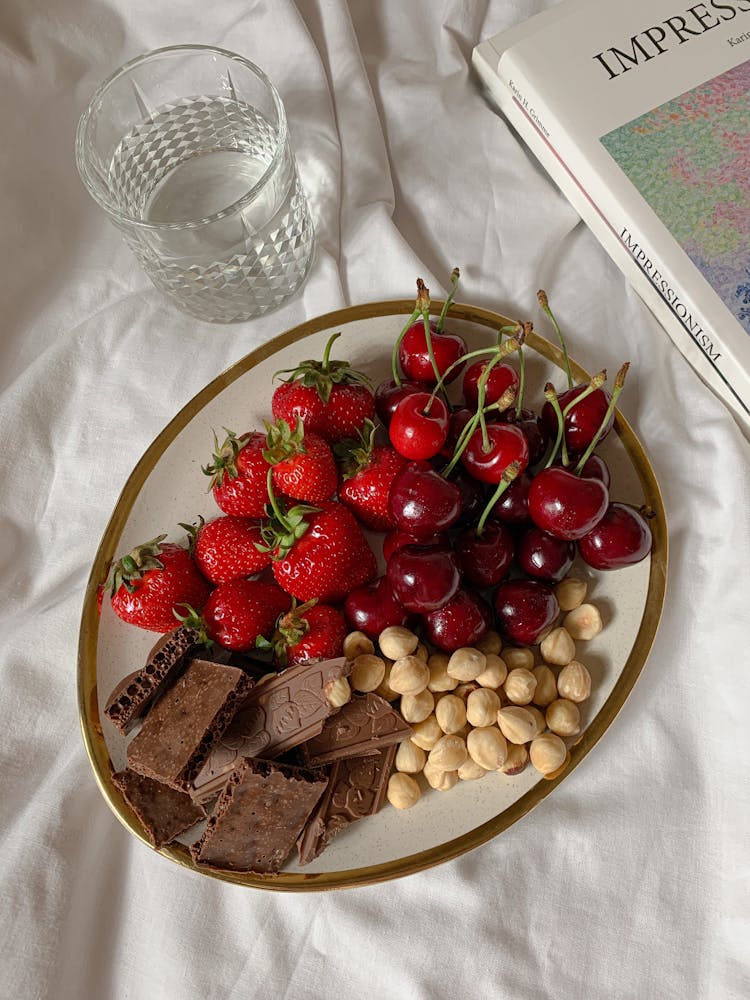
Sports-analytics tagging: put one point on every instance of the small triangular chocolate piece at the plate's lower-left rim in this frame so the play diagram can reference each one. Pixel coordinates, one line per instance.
(164, 813)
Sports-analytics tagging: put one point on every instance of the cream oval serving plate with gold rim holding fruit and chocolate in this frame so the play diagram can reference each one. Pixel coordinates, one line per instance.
(167, 487)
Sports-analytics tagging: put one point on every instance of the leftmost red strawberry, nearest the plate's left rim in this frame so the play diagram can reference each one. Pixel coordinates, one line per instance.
(153, 579)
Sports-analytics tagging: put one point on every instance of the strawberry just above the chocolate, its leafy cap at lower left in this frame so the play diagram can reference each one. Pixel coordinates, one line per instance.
(240, 611)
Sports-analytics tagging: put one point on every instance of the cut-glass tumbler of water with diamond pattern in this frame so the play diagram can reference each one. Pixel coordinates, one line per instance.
(187, 151)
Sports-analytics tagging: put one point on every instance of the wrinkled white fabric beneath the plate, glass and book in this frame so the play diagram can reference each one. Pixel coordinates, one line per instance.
(631, 880)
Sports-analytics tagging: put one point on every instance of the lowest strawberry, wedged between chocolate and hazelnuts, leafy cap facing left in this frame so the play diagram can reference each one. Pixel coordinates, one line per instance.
(307, 633)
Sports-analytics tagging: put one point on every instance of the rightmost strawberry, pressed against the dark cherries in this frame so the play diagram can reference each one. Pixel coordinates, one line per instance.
(368, 470)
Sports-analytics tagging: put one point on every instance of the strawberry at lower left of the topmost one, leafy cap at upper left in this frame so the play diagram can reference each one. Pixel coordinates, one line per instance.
(238, 474)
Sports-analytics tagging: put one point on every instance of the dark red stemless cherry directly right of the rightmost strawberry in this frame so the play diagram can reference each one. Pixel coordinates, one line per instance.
(421, 502)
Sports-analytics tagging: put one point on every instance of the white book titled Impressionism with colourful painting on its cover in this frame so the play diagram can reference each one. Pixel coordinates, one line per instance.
(640, 112)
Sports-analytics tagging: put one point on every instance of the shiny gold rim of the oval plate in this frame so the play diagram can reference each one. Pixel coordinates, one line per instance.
(88, 702)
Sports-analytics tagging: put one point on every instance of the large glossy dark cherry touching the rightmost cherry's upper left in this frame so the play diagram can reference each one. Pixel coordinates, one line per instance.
(566, 505)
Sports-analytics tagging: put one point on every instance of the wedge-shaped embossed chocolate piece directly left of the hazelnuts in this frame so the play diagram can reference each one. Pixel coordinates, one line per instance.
(363, 726)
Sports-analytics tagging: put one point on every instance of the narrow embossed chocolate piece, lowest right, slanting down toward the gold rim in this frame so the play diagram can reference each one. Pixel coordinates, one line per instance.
(356, 789)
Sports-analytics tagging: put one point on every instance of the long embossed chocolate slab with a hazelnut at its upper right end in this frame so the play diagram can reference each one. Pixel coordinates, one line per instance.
(277, 715)
